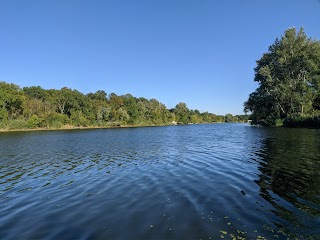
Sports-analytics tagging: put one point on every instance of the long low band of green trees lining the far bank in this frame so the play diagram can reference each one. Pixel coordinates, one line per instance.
(35, 107)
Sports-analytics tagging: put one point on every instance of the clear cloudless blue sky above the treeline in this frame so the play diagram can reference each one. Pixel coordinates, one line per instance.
(201, 52)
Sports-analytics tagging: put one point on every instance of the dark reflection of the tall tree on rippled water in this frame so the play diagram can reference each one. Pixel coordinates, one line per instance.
(289, 177)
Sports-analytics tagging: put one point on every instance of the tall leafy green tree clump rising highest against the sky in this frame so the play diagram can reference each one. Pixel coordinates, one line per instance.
(289, 83)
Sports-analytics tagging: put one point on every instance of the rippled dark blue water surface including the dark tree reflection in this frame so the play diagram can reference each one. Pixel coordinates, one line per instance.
(178, 182)
